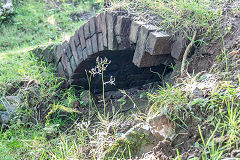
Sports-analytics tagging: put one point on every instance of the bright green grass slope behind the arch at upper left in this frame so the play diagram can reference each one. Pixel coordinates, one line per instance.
(35, 22)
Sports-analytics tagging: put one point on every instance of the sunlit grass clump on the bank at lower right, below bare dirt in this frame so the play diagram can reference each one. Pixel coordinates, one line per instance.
(219, 110)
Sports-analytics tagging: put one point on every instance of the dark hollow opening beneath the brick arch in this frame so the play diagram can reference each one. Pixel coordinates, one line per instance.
(126, 74)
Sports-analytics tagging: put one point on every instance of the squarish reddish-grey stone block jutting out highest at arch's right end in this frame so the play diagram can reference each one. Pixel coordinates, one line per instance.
(158, 43)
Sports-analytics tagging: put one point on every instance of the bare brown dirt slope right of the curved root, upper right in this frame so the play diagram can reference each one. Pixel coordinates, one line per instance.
(208, 56)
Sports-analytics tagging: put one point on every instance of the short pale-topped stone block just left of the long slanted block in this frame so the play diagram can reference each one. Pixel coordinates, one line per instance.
(134, 30)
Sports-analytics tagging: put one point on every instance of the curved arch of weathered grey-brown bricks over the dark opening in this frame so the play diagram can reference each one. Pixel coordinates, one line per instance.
(109, 31)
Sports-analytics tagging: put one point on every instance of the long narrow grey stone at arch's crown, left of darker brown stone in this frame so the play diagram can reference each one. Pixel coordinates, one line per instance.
(111, 22)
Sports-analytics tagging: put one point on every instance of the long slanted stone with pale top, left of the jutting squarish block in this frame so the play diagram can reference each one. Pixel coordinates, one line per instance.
(138, 59)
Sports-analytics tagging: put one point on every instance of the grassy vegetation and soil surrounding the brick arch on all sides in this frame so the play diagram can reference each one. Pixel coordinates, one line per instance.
(54, 122)
